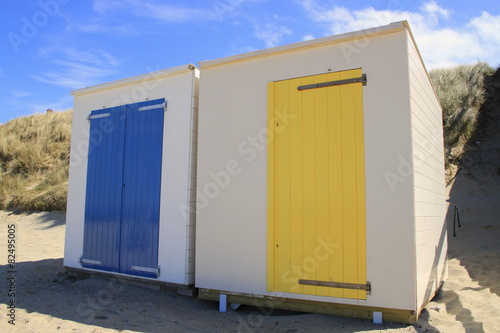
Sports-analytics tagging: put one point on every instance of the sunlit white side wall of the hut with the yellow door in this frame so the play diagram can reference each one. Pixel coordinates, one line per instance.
(430, 197)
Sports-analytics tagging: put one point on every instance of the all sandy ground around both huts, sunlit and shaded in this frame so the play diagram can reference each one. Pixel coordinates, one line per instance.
(47, 301)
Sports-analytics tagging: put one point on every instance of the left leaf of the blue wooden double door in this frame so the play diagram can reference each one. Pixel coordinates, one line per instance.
(104, 189)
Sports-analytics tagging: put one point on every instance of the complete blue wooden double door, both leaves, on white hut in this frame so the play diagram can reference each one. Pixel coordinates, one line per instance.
(123, 189)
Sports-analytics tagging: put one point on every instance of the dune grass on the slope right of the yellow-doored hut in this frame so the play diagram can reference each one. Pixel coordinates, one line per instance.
(461, 91)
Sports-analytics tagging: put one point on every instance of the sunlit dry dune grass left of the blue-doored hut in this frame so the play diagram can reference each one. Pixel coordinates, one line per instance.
(34, 162)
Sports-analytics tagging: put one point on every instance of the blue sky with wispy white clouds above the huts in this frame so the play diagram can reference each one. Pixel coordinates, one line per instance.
(50, 47)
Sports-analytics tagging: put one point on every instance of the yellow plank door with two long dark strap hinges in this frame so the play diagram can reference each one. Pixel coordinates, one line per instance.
(316, 186)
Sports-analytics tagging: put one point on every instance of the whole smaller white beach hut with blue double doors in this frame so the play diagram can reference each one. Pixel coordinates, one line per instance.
(133, 177)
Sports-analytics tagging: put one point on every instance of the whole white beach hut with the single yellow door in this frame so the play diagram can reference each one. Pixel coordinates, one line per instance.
(317, 189)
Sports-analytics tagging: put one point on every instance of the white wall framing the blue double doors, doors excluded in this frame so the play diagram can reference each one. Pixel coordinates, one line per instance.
(177, 86)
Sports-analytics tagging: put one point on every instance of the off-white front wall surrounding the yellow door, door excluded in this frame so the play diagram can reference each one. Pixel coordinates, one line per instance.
(231, 232)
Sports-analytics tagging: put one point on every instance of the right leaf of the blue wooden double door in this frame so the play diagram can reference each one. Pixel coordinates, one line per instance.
(141, 189)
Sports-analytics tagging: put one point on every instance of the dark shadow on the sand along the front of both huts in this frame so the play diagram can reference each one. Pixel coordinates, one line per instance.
(43, 287)
